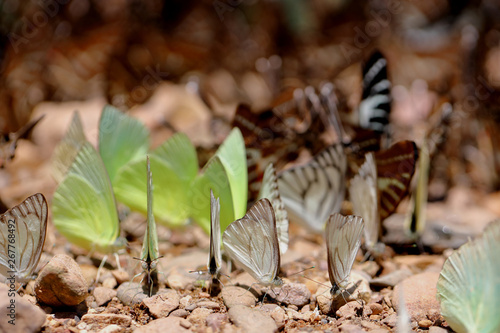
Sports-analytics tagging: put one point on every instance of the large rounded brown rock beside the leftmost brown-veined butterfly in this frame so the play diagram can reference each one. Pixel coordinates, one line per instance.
(61, 282)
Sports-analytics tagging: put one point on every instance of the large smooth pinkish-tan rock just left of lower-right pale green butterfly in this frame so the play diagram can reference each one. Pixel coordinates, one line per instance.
(419, 294)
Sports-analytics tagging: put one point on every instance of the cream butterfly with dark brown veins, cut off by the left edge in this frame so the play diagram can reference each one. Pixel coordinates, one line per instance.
(23, 230)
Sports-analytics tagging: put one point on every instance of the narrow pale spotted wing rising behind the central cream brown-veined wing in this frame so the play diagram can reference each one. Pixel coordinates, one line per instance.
(270, 191)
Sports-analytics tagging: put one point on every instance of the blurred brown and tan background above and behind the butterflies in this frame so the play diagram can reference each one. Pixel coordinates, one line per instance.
(186, 65)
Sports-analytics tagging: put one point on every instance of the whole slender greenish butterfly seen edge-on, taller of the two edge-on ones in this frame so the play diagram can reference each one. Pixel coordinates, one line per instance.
(149, 253)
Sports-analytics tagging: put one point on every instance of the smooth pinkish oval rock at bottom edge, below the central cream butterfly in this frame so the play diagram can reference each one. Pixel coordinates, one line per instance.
(251, 320)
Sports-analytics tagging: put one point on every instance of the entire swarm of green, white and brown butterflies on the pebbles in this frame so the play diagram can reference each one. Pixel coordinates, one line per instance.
(91, 181)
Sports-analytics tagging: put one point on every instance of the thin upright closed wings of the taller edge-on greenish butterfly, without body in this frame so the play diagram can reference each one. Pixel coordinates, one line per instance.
(150, 243)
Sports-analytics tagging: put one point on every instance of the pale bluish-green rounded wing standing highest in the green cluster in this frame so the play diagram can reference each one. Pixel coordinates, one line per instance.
(122, 139)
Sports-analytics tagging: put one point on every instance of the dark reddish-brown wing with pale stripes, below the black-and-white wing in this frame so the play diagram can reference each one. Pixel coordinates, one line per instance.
(395, 167)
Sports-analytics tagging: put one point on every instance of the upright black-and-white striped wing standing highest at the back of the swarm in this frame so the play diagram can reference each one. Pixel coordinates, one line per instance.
(375, 106)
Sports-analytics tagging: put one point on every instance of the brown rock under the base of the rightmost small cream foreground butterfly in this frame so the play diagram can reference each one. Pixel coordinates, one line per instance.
(358, 290)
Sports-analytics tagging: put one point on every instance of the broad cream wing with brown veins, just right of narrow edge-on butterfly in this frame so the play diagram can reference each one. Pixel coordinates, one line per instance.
(252, 242)
